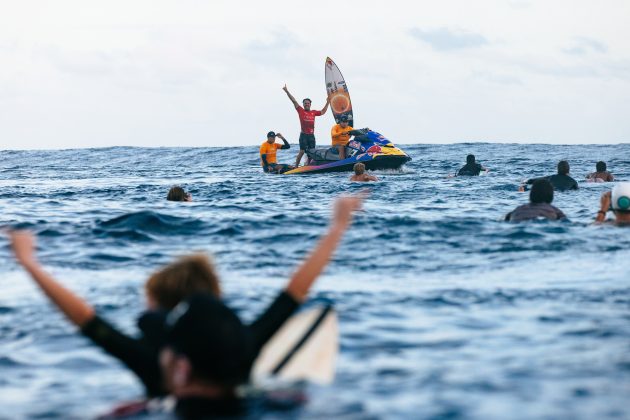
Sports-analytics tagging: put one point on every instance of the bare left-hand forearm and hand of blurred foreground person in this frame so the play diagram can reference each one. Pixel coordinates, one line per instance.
(73, 307)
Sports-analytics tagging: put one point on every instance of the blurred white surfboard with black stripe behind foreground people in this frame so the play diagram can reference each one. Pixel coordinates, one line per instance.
(305, 348)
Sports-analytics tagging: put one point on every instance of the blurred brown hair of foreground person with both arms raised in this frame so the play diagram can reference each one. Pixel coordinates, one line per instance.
(179, 280)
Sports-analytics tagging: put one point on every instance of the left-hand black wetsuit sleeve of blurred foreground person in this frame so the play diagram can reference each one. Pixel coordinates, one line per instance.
(136, 354)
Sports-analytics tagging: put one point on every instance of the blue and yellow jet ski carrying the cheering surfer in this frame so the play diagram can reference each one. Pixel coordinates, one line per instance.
(367, 147)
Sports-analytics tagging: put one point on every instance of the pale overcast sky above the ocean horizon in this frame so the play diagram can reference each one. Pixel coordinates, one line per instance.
(209, 73)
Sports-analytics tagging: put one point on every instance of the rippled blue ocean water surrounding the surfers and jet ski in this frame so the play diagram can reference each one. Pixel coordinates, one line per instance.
(445, 310)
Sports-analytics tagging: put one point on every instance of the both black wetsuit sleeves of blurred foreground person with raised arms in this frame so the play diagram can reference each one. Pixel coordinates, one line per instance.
(141, 355)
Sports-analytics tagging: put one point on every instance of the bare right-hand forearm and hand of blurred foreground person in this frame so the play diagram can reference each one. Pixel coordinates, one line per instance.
(311, 268)
